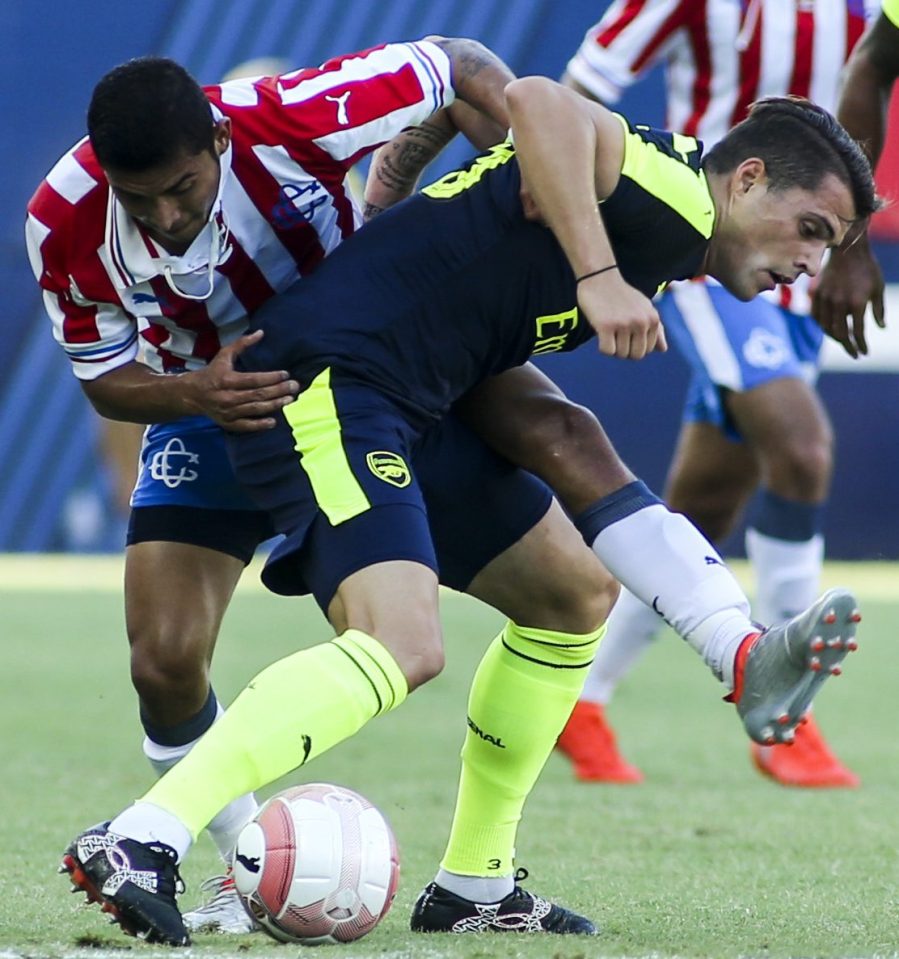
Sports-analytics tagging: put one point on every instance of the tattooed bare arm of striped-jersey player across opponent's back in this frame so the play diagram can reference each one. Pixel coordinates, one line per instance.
(479, 113)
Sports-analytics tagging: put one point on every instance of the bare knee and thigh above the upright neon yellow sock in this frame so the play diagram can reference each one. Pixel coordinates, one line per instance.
(549, 579)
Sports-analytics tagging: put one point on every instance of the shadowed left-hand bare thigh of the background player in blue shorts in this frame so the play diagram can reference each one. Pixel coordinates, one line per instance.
(711, 478)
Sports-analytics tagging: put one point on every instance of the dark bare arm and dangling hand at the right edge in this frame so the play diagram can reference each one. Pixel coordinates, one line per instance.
(852, 278)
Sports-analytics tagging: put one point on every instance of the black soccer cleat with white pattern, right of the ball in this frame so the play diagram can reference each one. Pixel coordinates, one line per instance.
(438, 910)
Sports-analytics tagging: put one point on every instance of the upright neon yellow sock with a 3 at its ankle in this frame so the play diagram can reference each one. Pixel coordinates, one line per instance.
(521, 698)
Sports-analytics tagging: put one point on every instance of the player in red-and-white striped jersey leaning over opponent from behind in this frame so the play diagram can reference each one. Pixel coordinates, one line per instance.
(149, 278)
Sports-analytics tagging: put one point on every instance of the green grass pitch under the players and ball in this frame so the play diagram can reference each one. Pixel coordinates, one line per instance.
(705, 859)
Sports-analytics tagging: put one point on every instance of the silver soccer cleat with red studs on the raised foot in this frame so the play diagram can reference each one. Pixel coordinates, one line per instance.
(787, 664)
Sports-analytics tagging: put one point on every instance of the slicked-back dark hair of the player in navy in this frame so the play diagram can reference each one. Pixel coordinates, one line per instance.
(801, 144)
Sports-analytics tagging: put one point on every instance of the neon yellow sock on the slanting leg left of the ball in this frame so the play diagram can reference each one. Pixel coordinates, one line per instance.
(291, 712)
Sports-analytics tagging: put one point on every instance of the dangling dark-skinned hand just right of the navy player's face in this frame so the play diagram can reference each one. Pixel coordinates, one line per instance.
(850, 280)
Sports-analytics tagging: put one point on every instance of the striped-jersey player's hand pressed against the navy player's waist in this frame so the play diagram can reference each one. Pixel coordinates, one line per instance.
(241, 402)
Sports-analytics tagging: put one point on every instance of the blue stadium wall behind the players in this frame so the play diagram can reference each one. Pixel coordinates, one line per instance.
(50, 478)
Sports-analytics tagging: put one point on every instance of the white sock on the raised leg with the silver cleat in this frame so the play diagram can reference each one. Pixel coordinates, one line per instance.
(664, 560)
